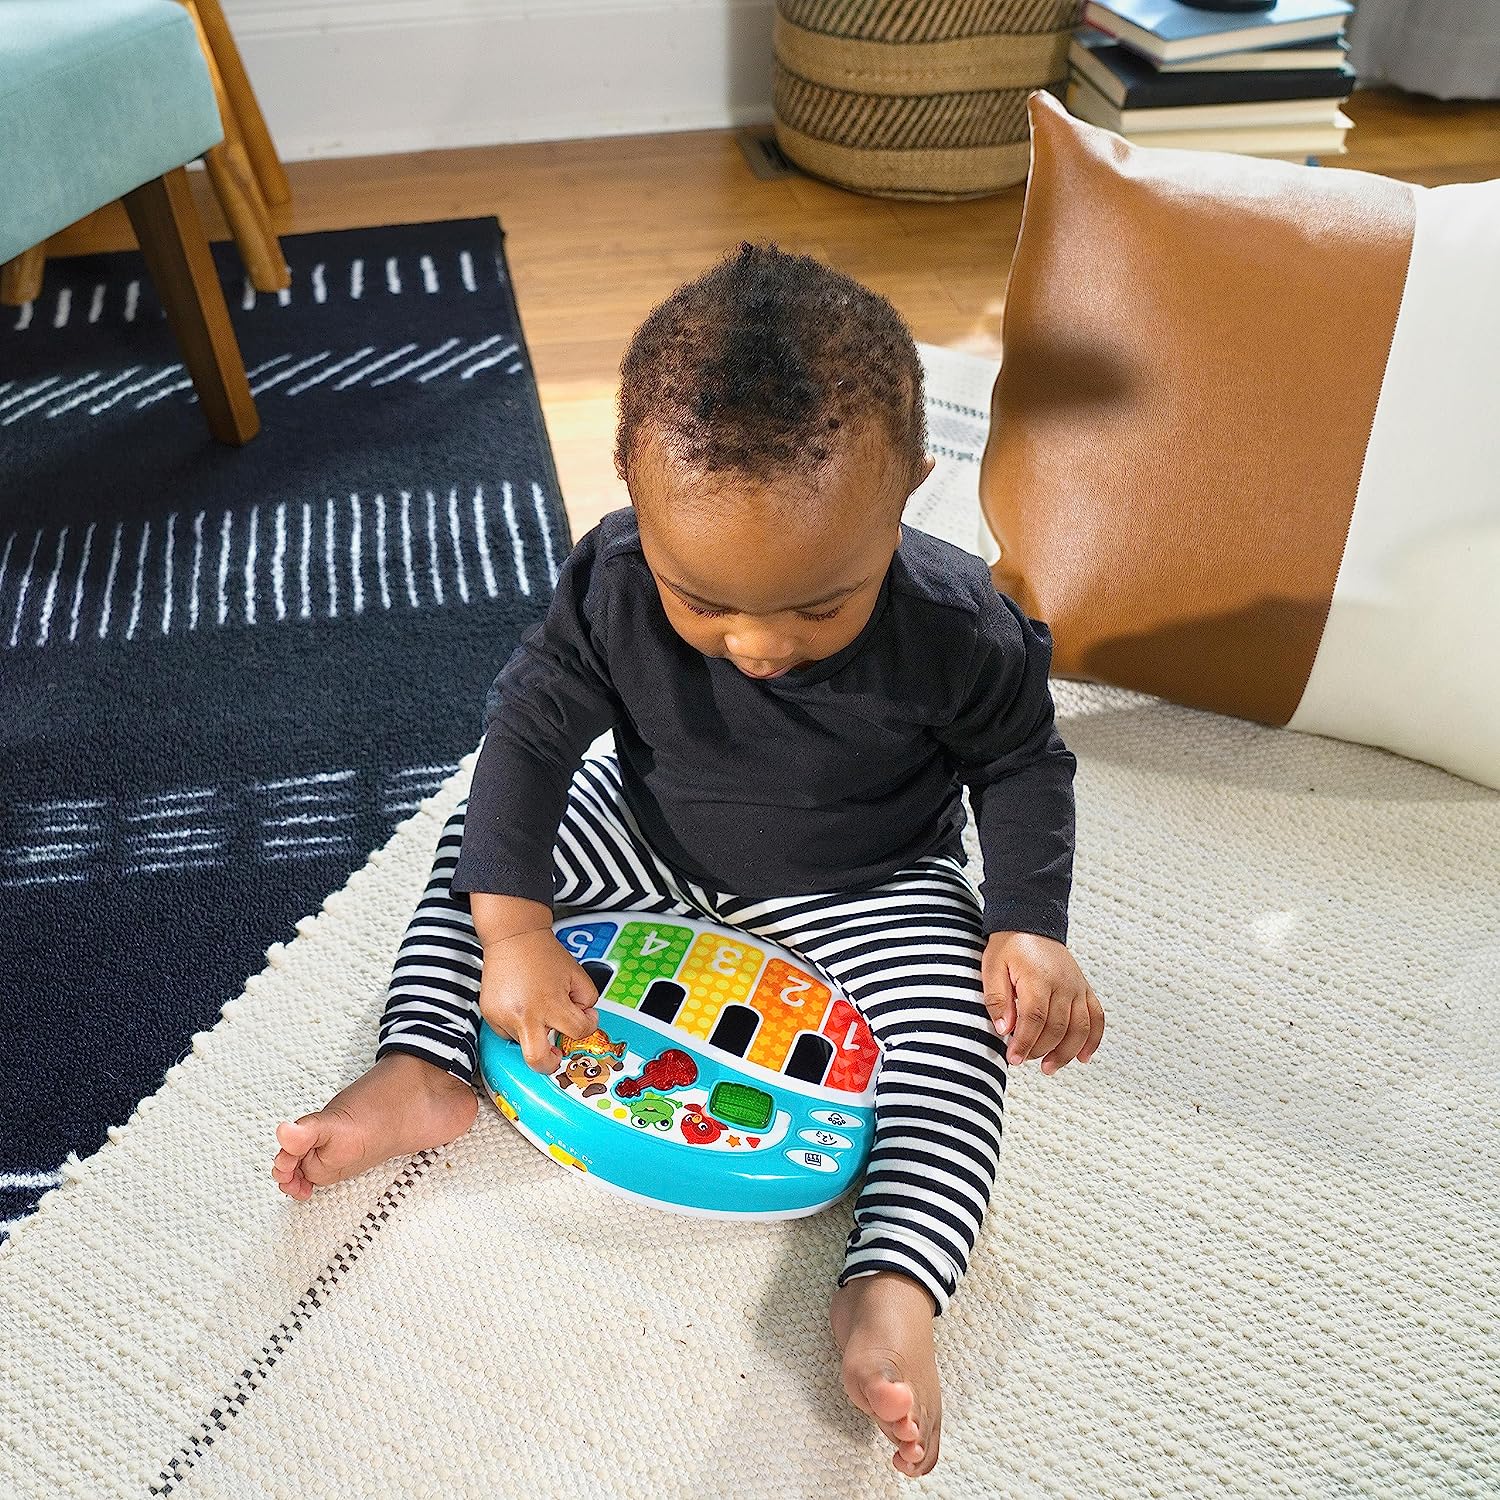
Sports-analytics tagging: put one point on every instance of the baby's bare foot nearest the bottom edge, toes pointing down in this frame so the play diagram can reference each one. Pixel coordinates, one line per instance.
(884, 1325)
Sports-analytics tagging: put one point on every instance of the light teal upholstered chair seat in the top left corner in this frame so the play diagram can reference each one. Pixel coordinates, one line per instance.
(97, 97)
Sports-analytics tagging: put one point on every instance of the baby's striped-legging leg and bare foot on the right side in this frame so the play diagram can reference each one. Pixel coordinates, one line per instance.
(910, 956)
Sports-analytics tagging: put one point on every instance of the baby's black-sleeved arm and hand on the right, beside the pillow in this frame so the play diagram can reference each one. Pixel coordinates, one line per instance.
(1021, 782)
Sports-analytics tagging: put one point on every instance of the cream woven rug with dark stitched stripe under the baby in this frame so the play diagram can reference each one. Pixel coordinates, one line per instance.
(1249, 1252)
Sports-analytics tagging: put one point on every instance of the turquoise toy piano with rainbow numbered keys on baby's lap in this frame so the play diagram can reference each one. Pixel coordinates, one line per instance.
(724, 1078)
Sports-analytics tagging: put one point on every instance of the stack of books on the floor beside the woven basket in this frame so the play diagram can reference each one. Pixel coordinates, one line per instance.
(1264, 83)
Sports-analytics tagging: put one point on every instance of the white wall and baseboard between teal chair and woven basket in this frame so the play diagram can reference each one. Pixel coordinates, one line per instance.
(353, 77)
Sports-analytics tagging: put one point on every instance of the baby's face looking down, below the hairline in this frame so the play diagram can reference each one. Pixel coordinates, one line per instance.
(776, 575)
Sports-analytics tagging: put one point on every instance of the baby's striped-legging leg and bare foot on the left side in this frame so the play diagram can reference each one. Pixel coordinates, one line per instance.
(419, 1091)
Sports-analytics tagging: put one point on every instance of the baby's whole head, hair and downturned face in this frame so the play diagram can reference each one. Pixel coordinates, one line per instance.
(770, 434)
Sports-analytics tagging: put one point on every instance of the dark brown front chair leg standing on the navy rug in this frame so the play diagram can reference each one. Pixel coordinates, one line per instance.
(178, 257)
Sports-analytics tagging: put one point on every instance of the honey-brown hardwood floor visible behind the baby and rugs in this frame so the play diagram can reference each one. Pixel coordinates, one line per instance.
(598, 232)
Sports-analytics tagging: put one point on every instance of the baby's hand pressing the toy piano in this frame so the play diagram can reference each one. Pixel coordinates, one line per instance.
(533, 986)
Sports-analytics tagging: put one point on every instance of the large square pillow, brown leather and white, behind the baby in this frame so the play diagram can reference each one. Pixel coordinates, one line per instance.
(1246, 439)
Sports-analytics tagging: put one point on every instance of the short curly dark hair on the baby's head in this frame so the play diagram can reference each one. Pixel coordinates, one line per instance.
(752, 367)
